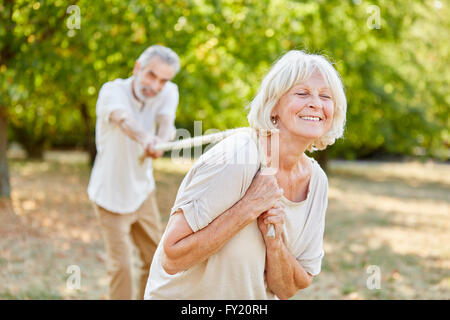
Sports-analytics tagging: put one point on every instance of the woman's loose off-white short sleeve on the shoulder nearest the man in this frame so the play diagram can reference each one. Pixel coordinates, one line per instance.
(218, 179)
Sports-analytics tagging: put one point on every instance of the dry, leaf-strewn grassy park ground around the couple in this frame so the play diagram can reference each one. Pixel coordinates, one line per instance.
(385, 220)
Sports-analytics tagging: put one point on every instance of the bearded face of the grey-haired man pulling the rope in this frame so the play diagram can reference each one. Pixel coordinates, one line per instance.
(150, 79)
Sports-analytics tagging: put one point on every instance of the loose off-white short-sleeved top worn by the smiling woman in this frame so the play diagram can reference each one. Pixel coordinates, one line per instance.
(216, 182)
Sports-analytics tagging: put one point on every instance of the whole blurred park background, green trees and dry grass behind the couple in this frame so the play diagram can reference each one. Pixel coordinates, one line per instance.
(389, 176)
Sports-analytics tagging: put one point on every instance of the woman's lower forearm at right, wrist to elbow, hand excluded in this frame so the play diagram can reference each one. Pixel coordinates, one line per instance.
(284, 274)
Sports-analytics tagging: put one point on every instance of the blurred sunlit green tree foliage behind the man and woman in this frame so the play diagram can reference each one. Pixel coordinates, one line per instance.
(396, 76)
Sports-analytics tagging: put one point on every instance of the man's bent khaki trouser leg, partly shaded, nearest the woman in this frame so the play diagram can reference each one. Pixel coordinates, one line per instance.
(146, 233)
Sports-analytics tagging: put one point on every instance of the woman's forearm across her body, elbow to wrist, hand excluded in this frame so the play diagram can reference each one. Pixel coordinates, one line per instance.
(199, 246)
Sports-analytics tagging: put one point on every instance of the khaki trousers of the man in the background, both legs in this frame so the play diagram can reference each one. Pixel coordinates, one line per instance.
(144, 228)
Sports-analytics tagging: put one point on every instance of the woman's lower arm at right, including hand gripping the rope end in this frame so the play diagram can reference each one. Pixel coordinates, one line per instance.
(284, 274)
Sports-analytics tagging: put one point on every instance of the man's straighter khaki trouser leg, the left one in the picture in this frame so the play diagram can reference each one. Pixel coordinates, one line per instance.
(116, 231)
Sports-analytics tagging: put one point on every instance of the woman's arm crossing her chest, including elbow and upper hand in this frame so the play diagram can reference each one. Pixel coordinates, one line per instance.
(183, 248)
